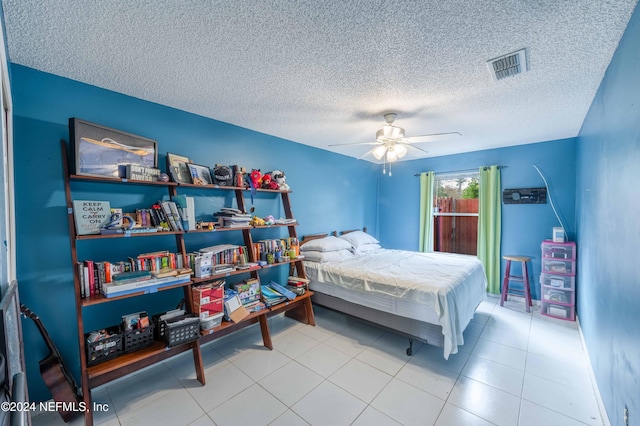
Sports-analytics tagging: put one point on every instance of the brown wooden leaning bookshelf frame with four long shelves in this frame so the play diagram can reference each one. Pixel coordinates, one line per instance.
(96, 375)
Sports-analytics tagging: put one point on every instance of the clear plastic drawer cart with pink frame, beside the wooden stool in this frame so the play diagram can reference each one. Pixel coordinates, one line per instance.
(558, 280)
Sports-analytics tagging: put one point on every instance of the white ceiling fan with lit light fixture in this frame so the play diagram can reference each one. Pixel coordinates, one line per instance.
(391, 143)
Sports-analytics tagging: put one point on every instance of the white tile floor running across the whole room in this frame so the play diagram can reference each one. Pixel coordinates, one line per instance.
(514, 369)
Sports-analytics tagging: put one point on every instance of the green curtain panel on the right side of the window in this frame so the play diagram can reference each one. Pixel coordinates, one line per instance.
(489, 222)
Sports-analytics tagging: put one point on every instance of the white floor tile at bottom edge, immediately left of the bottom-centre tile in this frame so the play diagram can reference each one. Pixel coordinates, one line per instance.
(253, 406)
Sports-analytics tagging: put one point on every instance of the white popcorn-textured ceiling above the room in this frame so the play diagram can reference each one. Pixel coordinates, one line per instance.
(324, 72)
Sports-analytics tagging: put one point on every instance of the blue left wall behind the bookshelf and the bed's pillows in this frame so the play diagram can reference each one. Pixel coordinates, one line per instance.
(328, 193)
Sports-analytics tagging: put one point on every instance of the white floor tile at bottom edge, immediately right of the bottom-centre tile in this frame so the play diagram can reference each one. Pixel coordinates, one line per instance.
(408, 405)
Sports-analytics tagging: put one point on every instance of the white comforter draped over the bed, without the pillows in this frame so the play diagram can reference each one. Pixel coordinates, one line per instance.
(452, 285)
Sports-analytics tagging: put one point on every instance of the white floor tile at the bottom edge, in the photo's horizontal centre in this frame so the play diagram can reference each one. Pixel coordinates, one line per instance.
(329, 405)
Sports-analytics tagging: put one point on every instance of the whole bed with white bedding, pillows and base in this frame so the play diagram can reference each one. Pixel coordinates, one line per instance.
(430, 297)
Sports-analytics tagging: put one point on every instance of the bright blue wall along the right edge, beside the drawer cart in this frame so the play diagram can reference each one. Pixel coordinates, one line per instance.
(607, 207)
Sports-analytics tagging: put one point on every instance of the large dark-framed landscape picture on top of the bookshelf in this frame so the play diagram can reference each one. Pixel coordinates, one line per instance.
(99, 150)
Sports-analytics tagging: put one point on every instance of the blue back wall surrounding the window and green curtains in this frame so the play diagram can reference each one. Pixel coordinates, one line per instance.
(523, 226)
